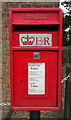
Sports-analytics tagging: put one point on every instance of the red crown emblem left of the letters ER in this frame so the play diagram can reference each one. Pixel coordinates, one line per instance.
(27, 40)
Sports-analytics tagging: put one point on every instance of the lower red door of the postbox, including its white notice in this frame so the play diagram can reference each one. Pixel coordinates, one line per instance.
(42, 75)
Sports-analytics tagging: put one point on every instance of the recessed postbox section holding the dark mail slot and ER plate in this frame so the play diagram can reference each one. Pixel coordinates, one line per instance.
(48, 35)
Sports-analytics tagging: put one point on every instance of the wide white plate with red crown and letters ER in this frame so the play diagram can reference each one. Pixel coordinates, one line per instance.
(35, 39)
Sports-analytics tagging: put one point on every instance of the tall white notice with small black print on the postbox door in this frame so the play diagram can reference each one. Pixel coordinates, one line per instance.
(36, 78)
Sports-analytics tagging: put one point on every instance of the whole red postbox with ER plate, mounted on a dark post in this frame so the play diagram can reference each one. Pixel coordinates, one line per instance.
(35, 58)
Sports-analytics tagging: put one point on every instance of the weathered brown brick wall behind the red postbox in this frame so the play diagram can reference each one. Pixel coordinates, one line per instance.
(6, 111)
